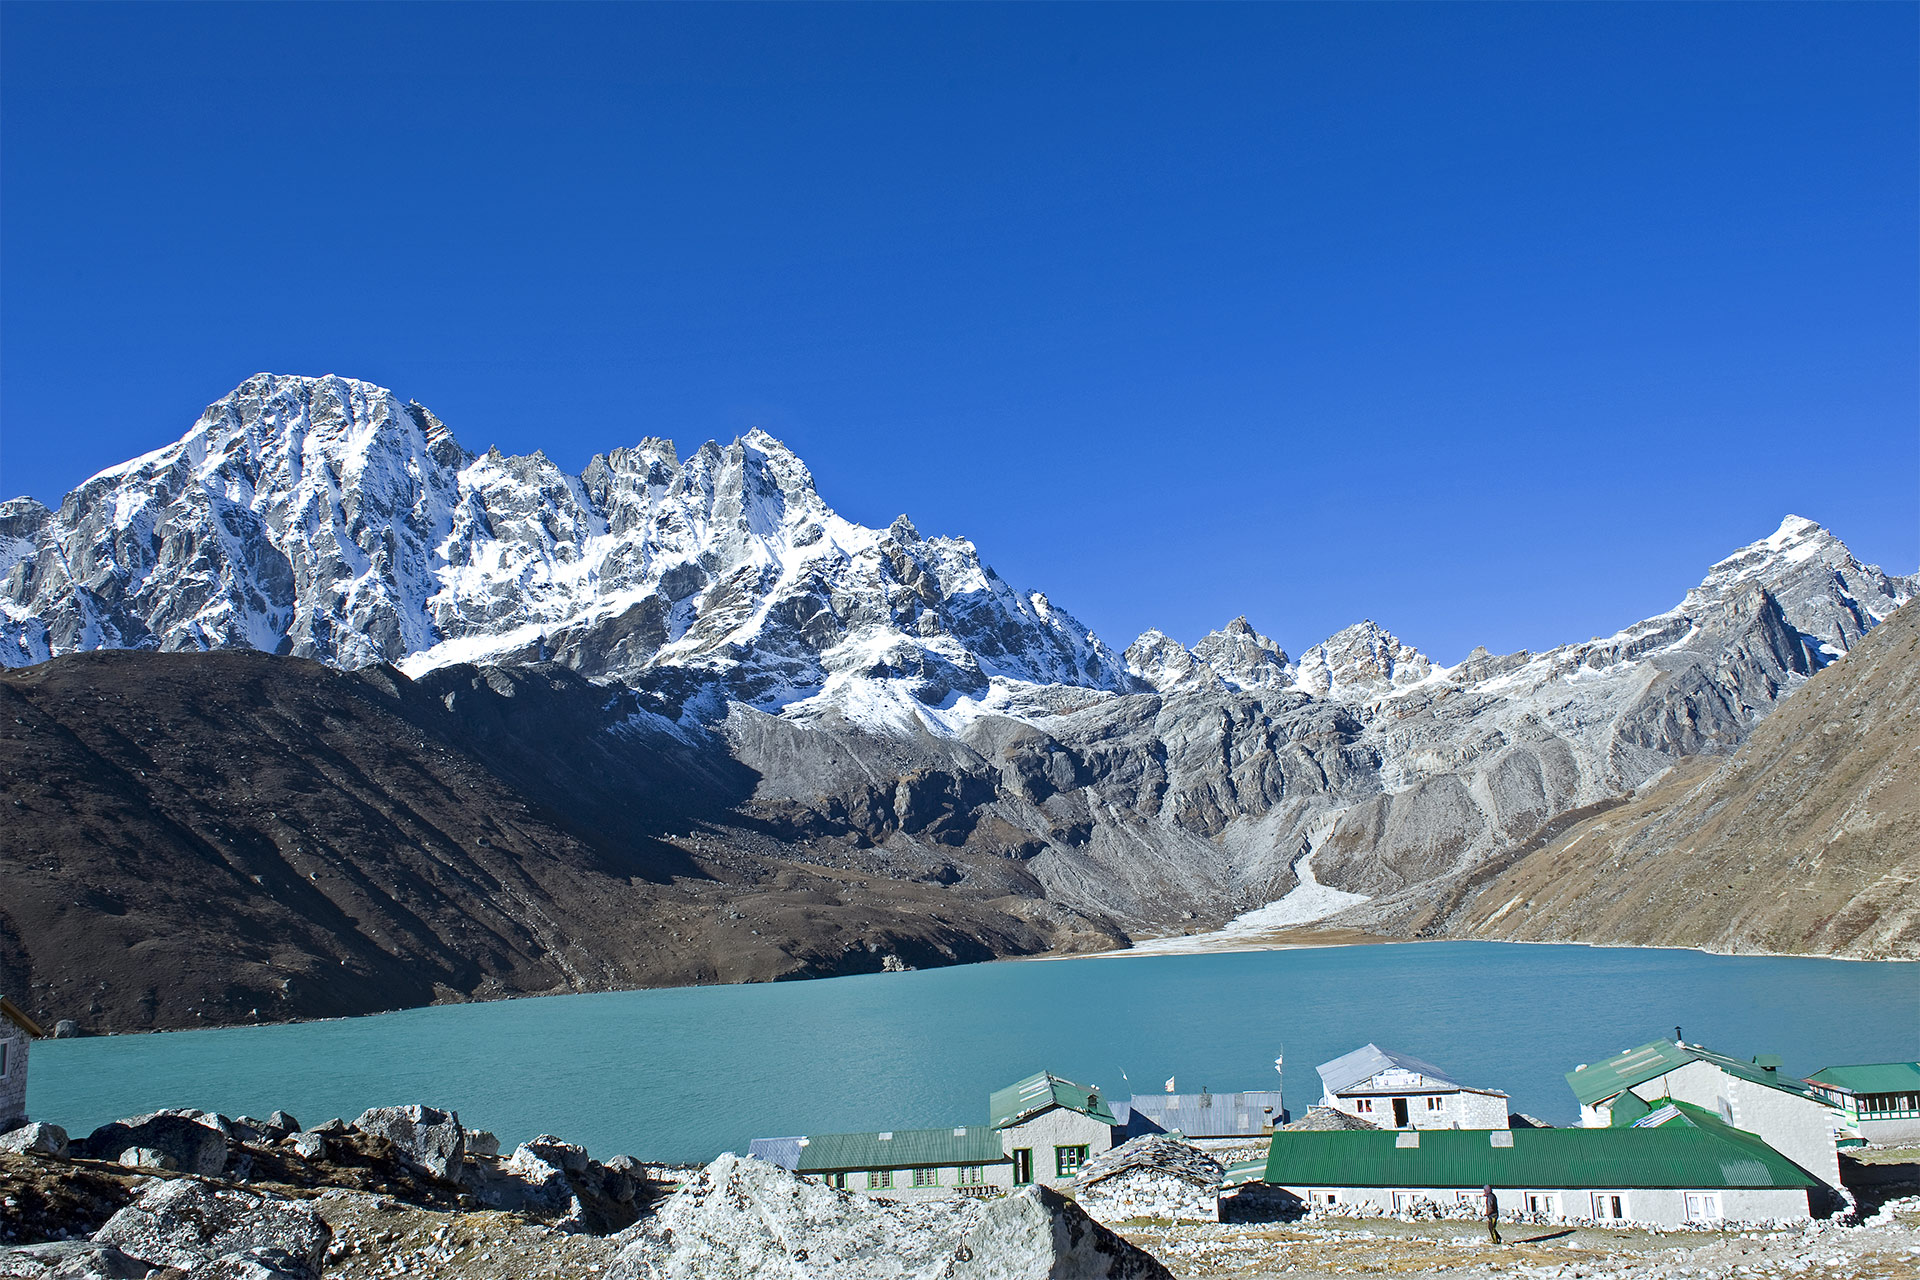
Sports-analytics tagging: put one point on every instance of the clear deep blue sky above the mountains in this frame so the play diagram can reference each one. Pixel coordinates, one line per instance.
(1493, 323)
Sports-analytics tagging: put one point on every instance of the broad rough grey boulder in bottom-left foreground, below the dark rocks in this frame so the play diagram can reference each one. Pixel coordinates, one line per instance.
(189, 1225)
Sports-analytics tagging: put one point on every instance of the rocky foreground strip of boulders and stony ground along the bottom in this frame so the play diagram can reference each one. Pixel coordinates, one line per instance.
(410, 1193)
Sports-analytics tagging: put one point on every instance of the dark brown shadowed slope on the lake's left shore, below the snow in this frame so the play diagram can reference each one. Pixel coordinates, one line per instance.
(226, 838)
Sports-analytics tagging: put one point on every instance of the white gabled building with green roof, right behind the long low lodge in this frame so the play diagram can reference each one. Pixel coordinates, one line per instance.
(1748, 1095)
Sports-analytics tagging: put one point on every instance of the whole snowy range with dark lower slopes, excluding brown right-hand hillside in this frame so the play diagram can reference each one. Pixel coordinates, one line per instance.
(690, 686)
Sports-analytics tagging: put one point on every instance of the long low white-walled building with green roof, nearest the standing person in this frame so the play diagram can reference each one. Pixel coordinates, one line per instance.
(1671, 1170)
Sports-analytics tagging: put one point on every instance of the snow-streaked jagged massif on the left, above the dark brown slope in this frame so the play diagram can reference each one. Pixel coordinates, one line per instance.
(325, 519)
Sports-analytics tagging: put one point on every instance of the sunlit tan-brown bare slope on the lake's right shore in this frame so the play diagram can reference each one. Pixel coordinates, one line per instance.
(1804, 841)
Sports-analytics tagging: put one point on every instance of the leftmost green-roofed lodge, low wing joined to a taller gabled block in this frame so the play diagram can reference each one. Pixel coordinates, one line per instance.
(1044, 1129)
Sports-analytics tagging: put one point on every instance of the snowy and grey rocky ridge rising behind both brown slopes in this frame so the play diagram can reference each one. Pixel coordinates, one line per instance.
(888, 692)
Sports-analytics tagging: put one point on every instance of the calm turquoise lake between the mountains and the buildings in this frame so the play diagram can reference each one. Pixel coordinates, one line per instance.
(681, 1076)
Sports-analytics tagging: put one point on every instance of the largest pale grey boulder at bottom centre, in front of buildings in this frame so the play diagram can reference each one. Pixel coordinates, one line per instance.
(744, 1220)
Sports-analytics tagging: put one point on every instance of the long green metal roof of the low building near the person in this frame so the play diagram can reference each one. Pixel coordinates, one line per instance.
(1675, 1156)
